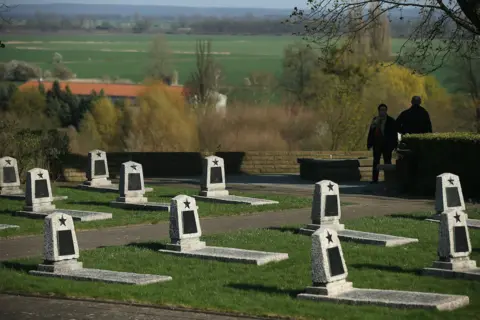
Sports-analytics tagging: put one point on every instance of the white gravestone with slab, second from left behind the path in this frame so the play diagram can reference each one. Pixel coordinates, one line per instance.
(38, 199)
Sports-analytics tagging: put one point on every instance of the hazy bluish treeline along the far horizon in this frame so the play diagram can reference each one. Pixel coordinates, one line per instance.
(191, 25)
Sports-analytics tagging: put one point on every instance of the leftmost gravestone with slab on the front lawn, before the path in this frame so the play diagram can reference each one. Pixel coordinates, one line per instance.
(61, 254)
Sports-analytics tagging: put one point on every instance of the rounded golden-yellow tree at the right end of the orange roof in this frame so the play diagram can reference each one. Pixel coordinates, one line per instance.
(162, 122)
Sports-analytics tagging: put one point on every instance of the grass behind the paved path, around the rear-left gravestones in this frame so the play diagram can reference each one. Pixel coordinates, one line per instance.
(97, 201)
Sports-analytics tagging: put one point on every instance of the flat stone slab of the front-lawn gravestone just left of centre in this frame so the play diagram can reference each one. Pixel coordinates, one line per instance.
(232, 255)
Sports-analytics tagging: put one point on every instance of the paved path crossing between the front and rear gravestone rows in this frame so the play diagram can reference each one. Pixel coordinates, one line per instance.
(89, 239)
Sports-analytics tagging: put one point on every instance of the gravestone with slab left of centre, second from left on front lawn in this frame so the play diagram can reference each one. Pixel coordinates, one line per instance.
(185, 233)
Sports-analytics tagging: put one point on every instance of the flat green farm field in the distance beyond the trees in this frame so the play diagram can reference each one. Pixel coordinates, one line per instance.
(125, 56)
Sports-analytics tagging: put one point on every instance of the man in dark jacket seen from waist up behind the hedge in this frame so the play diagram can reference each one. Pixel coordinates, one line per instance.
(415, 119)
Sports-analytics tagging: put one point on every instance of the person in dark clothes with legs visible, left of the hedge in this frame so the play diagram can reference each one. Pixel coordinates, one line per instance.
(383, 138)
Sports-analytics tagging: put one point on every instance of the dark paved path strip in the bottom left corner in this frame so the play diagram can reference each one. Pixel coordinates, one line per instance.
(33, 308)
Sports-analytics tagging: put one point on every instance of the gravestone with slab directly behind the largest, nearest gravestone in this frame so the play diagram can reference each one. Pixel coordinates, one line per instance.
(326, 213)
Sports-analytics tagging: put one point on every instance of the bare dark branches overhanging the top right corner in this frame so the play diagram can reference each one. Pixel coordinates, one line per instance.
(455, 23)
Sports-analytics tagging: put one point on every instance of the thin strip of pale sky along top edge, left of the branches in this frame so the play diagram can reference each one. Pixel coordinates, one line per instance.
(280, 4)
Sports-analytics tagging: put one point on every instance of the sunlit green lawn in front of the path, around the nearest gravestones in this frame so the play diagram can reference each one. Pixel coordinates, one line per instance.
(269, 289)
